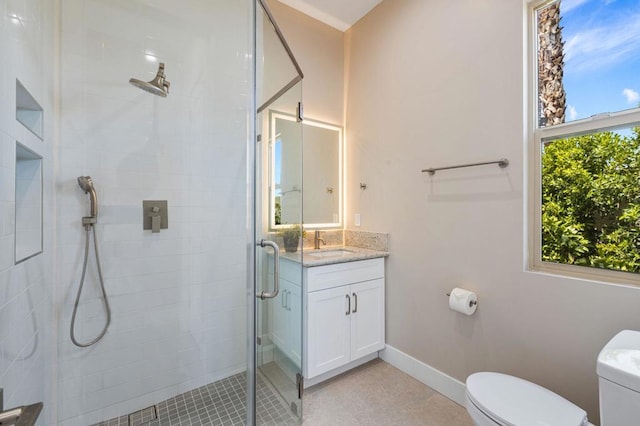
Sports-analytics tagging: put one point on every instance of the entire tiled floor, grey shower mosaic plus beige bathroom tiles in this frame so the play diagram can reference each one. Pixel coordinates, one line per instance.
(375, 394)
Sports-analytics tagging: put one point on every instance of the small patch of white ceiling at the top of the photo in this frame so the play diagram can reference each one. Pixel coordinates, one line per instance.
(340, 14)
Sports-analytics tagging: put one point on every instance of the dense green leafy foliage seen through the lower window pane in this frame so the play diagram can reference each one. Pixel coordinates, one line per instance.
(591, 201)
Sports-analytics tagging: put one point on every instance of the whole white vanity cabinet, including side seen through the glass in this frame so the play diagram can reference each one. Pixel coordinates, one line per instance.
(338, 309)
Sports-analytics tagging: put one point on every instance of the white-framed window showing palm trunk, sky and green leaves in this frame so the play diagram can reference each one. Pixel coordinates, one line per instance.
(585, 153)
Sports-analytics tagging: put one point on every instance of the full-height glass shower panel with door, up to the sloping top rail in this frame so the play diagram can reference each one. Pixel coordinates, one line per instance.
(279, 295)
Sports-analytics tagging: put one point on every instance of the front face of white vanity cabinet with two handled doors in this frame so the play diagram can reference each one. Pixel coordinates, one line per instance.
(344, 314)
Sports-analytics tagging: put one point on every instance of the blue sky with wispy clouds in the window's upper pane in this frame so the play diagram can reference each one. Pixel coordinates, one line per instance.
(602, 56)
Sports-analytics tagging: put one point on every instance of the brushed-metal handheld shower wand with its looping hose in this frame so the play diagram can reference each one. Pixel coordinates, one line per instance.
(89, 222)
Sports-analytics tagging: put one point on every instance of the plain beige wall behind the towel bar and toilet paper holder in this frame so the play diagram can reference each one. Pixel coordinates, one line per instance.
(434, 83)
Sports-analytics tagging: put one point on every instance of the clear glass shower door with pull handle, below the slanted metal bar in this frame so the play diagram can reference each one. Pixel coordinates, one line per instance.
(279, 301)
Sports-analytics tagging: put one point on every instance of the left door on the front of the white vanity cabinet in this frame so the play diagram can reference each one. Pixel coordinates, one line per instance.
(328, 328)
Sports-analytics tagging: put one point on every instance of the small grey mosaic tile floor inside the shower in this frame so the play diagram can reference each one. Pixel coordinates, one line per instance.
(219, 403)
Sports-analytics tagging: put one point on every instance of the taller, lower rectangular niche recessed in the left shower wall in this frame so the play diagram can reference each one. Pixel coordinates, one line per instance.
(28, 222)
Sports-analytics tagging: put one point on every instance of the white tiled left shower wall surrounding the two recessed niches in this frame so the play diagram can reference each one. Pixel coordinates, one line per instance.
(26, 288)
